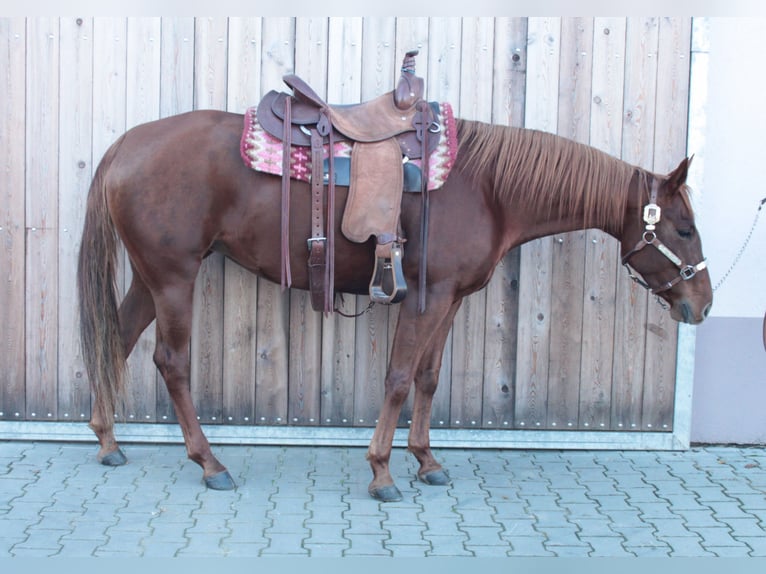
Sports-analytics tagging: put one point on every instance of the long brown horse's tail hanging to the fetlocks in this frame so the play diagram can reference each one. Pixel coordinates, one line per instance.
(102, 346)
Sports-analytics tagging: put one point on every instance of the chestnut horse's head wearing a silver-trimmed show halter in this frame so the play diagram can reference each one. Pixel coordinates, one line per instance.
(664, 247)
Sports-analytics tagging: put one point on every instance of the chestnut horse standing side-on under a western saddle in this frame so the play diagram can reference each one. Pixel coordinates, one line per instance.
(176, 190)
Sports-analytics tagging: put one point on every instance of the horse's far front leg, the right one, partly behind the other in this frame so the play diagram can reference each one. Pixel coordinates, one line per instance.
(426, 381)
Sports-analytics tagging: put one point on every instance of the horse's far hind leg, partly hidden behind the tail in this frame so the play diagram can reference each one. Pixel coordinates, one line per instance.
(135, 313)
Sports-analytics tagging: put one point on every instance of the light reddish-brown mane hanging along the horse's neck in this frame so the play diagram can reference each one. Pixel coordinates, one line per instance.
(548, 172)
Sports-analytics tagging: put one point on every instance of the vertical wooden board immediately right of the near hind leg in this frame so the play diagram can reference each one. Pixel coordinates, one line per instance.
(211, 41)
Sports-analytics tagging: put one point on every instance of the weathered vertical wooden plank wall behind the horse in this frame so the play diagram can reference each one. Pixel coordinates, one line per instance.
(560, 339)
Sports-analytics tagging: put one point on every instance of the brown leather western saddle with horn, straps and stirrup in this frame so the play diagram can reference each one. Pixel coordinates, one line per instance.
(384, 133)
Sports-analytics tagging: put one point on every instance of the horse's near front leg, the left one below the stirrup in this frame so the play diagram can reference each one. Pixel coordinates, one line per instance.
(412, 337)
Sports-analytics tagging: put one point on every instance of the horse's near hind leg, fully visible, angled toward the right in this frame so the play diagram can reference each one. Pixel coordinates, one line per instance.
(172, 357)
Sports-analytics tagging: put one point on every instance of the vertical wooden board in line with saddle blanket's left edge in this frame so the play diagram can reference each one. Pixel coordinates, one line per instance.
(240, 286)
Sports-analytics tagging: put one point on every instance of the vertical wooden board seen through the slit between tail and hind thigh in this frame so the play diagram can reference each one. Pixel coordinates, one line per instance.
(143, 105)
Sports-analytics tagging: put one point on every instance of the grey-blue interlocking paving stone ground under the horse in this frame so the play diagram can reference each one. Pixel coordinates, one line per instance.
(56, 500)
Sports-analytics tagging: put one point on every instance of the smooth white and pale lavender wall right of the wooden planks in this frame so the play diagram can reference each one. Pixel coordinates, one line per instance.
(728, 136)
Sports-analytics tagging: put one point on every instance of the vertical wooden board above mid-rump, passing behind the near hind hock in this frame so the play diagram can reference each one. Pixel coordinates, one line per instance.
(176, 96)
